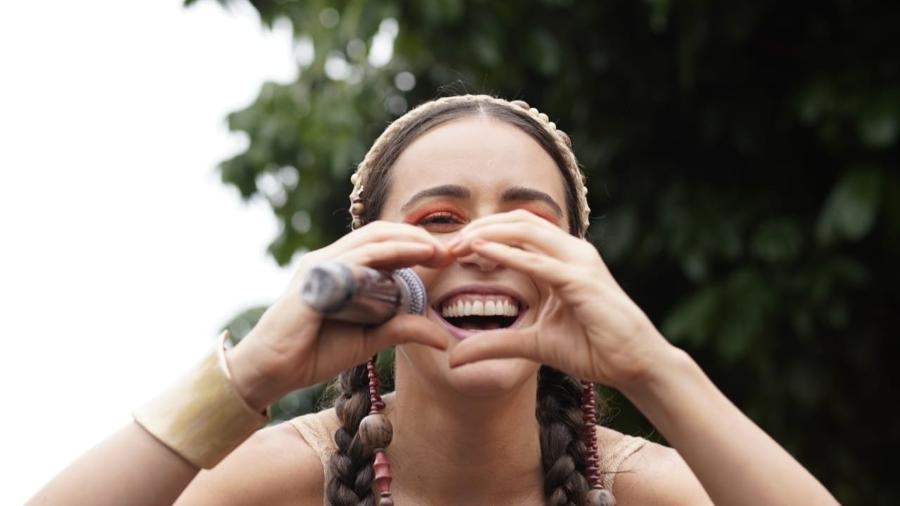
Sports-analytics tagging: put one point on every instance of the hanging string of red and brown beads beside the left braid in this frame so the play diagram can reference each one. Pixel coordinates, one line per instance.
(375, 431)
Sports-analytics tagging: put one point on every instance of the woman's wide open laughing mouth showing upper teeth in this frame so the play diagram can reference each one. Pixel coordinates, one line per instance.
(467, 313)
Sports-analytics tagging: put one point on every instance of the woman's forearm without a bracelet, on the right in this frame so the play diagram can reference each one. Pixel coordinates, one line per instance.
(733, 458)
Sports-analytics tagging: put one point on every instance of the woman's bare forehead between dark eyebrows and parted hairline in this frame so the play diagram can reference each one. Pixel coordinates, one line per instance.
(481, 153)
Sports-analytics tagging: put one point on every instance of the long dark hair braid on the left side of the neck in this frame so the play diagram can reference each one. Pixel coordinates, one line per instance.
(351, 469)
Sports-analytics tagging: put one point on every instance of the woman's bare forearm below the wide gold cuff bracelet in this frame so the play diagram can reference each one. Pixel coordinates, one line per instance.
(130, 467)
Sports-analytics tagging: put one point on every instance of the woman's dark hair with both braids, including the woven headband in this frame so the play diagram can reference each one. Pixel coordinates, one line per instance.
(566, 426)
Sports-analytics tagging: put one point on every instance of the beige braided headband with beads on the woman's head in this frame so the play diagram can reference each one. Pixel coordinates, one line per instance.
(563, 144)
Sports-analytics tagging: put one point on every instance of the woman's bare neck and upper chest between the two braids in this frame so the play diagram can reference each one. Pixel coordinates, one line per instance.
(475, 450)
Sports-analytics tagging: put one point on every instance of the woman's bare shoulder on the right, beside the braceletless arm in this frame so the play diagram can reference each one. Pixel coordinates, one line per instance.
(654, 475)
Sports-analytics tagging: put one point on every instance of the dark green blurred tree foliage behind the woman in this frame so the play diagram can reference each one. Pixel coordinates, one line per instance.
(739, 161)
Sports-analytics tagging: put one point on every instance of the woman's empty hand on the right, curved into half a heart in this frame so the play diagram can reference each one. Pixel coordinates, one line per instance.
(588, 327)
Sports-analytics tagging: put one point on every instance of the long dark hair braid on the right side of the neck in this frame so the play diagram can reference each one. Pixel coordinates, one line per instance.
(563, 459)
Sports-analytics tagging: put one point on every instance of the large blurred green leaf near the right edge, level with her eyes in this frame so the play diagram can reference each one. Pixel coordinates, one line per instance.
(851, 207)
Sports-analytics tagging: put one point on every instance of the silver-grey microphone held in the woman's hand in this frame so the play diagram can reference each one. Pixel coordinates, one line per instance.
(359, 294)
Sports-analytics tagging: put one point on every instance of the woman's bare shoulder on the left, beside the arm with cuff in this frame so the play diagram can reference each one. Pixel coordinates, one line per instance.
(274, 466)
